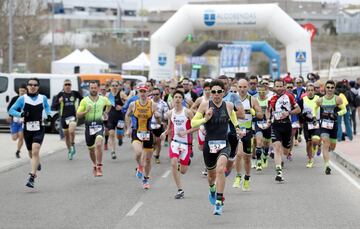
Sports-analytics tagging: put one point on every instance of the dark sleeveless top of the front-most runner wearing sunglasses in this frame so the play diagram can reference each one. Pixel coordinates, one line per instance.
(217, 127)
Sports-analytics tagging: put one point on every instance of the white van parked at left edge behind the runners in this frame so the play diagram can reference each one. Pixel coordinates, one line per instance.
(50, 86)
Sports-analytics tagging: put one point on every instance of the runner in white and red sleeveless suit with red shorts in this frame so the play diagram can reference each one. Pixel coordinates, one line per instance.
(180, 147)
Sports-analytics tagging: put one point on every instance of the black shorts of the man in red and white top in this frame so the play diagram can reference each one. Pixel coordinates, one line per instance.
(281, 132)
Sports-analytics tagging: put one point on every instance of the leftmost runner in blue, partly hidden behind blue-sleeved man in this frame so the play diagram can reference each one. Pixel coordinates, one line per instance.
(16, 124)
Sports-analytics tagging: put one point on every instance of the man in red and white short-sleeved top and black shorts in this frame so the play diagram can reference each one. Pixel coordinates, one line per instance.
(281, 106)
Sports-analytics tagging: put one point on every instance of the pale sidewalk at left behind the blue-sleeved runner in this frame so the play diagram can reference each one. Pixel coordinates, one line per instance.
(50, 145)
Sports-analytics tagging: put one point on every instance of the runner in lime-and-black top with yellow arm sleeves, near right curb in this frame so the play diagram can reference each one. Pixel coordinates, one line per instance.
(330, 106)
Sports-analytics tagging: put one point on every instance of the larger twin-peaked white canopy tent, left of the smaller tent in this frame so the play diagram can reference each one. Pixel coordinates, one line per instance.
(79, 62)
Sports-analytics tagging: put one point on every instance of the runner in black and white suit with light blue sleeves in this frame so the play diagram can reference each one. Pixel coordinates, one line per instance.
(31, 106)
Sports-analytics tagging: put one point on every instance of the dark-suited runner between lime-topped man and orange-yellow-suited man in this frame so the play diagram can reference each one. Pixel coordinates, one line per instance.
(115, 117)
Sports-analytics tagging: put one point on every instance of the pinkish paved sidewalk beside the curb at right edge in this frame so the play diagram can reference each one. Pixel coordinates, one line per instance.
(347, 153)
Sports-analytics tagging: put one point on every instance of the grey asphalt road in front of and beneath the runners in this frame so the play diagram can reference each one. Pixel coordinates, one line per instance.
(66, 195)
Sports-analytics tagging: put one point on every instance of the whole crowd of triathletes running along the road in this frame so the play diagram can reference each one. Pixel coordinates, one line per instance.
(238, 124)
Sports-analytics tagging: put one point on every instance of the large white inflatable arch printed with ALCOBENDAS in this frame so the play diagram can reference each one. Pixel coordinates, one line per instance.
(229, 17)
